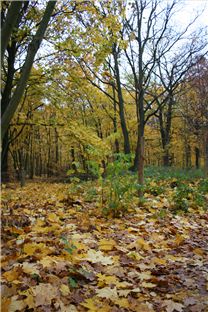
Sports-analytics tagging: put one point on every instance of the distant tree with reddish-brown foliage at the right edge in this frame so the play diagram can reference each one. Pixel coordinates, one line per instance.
(195, 107)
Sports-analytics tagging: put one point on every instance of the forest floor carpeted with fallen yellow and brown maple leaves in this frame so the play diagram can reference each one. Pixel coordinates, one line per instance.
(59, 253)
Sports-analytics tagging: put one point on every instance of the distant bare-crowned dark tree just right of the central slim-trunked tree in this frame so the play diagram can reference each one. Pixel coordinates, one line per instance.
(172, 72)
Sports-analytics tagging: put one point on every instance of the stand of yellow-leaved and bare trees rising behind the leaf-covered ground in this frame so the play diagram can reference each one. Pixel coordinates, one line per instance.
(110, 77)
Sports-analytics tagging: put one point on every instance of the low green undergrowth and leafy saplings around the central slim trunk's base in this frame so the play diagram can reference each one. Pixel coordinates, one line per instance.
(116, 192)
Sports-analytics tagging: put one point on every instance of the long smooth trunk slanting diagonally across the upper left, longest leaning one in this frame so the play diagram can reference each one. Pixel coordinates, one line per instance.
(32, 50)
